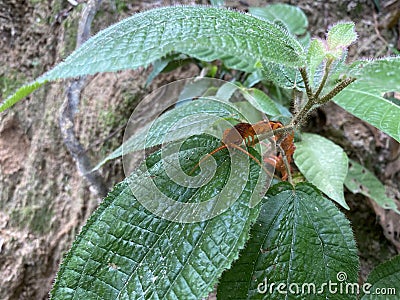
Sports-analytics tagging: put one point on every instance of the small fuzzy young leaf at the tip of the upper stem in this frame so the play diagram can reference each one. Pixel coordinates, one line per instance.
(340, 36)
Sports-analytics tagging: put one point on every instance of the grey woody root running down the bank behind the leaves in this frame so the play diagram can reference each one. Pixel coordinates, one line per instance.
(70, 106)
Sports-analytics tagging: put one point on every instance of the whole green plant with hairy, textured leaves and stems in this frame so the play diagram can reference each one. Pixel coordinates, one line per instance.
(149, 237)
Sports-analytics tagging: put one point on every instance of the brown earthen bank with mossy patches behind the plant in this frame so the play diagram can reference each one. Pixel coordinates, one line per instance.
(43, 199)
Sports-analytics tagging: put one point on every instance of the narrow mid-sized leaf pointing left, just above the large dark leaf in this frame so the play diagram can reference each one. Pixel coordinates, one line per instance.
(181, 122)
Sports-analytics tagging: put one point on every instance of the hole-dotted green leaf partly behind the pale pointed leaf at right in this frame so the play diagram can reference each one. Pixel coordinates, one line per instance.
(360, 180)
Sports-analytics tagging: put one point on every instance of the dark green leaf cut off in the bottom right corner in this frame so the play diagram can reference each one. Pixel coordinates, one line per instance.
(383, 281)
